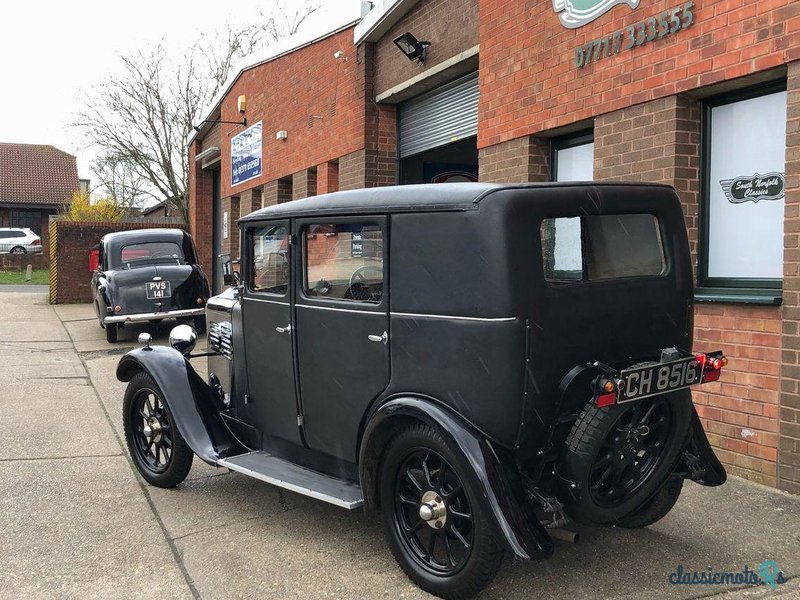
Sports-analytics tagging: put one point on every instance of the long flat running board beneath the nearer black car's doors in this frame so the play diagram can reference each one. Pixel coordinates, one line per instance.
(290, 476)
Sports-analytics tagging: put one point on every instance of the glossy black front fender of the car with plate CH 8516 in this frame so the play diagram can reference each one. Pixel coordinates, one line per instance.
(194, 407)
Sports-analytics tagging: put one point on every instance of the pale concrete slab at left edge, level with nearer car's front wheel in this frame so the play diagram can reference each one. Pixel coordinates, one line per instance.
(46, 420)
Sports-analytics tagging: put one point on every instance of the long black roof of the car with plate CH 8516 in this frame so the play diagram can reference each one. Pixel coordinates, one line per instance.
(430, 197)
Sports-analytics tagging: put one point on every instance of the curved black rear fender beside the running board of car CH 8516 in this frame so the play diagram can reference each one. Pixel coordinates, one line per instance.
(501, 502)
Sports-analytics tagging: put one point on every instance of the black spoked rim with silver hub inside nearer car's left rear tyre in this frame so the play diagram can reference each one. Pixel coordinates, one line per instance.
(433, 516)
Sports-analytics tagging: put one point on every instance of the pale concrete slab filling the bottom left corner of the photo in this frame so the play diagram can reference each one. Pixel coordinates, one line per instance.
(81, 528)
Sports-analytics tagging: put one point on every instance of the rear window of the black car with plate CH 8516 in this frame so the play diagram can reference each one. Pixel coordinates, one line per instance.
(600, 247)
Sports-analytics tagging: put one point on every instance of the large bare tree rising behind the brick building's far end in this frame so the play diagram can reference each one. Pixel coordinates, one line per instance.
(143, 118)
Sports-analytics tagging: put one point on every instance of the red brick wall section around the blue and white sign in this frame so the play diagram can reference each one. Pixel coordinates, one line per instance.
(287, 94)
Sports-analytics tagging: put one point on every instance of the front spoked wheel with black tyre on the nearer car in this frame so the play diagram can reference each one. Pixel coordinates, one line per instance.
(144, 405)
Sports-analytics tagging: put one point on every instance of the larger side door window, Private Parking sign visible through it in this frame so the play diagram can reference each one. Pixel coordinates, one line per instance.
(344, 261)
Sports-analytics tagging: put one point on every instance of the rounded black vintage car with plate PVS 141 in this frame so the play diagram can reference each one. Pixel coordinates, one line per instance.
(148, 275)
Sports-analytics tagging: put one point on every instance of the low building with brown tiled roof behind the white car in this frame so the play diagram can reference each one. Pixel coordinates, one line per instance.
(35, 182)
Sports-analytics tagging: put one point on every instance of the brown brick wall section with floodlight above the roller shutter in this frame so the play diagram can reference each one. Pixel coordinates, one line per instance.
(450, 25)
